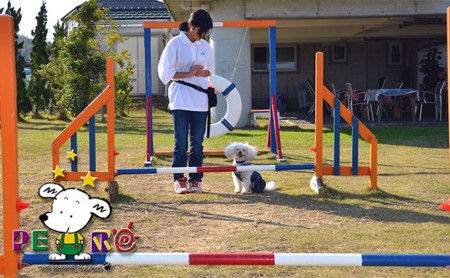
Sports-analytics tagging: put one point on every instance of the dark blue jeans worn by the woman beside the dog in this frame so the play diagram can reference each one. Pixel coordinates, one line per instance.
(192, 124)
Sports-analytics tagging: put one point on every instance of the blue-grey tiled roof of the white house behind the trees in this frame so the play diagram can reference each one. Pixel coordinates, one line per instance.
(132, 9)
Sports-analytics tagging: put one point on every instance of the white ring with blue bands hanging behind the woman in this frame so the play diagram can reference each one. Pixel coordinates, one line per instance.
(234, 106)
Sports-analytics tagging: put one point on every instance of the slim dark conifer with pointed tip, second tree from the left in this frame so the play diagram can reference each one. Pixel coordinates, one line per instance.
(39, 56)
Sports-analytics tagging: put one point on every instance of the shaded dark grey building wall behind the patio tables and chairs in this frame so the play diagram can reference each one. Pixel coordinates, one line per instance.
(366, 63)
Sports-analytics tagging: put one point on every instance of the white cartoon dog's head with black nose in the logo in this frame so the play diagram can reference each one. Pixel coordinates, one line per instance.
(72, 208)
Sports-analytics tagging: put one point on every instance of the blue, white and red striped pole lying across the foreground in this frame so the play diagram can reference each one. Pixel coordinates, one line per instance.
(276, 259)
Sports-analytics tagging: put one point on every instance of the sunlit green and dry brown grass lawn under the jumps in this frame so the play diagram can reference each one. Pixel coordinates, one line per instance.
(402, 216)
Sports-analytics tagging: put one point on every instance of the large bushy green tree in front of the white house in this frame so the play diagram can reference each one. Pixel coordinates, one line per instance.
(77, 64)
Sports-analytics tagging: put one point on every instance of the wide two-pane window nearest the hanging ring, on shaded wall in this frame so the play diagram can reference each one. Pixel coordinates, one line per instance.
(286, 58)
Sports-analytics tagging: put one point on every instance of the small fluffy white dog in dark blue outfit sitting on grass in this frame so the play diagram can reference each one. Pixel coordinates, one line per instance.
(246, 181)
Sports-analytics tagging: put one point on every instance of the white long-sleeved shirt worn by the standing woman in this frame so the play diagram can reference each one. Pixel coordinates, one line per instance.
(180, 55)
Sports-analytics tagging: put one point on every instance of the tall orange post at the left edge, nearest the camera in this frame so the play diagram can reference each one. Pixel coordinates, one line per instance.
(9, 260)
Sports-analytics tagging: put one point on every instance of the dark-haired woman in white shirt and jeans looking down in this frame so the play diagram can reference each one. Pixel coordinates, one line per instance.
(189, 58)
